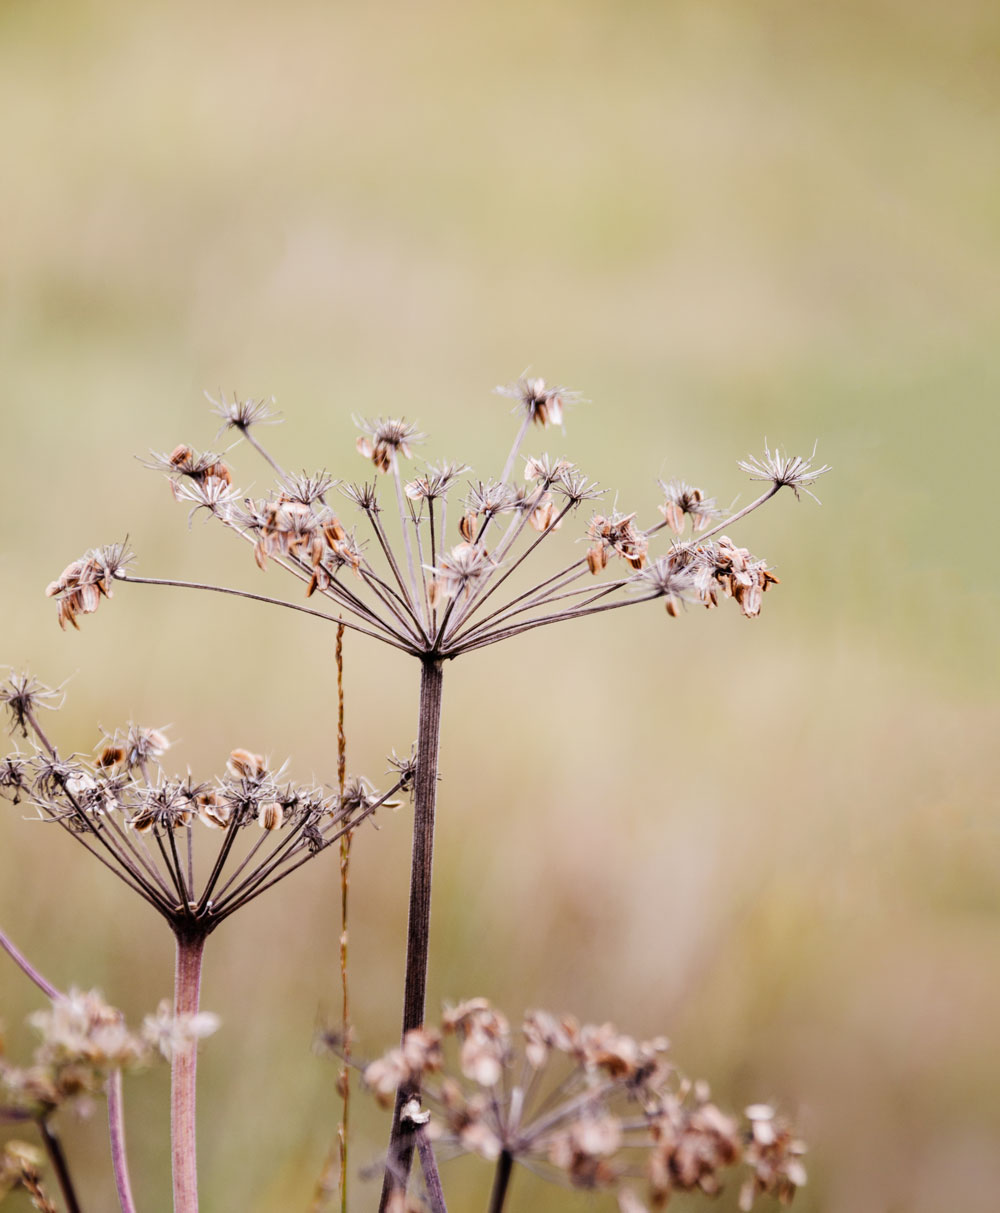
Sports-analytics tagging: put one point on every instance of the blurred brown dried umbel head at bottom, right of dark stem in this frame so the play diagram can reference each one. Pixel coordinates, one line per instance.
(583, 1103)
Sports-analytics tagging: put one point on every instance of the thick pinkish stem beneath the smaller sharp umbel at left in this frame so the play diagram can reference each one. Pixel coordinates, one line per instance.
(184, 1073)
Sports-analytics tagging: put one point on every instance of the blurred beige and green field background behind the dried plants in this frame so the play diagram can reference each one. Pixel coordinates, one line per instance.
(776, 841)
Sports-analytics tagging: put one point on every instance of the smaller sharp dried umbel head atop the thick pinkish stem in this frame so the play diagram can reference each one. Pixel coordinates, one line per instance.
(141, 823)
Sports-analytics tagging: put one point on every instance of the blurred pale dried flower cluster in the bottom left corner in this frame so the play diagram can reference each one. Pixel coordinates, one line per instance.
(83, 1040)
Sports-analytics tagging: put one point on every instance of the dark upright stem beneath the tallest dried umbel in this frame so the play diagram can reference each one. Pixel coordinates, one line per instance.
(419, 929)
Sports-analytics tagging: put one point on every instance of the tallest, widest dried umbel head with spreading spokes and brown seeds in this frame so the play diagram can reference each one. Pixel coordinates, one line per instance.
(428, 594)
